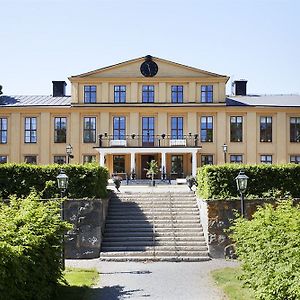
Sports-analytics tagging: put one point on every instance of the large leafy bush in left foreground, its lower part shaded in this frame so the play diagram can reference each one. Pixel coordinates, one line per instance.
(30, 248)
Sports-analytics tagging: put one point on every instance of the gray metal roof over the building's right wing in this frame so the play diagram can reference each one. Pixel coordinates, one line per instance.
(264, 100)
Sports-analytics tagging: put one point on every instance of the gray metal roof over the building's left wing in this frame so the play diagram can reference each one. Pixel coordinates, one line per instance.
(8, 101)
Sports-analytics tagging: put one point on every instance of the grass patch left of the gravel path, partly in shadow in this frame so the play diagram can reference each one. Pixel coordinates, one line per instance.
(79, 282)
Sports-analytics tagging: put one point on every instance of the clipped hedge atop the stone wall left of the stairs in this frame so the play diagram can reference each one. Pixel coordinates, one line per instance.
(85, 181)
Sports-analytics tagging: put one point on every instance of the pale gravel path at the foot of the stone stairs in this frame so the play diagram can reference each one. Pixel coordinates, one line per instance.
(155, 280)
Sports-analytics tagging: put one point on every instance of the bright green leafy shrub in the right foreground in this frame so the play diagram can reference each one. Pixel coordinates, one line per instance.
(269, 248)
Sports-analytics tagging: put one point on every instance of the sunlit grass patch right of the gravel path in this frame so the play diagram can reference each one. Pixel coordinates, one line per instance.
(227, 280)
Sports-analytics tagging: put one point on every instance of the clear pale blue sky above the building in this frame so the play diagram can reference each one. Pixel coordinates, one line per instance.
(45, 40)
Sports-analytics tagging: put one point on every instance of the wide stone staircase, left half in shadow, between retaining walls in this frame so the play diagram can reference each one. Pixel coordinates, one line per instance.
(153, 226)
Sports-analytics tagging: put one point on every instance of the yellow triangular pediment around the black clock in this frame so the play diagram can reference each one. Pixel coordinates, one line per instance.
(131, 69)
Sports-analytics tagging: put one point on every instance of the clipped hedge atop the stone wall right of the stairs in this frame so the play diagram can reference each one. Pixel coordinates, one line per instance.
(218, 182)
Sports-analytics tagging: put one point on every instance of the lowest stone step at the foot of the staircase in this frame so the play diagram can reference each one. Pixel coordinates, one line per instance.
(156, 258)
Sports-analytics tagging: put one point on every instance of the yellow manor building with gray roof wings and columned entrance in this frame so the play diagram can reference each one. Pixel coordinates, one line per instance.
(125, 115)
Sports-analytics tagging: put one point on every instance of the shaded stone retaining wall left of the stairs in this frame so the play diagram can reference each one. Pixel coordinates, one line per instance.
(88, 218)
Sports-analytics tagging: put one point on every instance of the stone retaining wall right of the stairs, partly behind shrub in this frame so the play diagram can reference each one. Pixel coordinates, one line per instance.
(216, 216)
